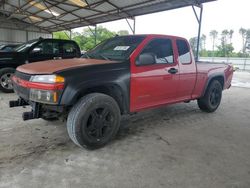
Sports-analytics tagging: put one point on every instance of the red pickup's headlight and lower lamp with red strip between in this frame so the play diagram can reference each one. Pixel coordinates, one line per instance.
(46, 88)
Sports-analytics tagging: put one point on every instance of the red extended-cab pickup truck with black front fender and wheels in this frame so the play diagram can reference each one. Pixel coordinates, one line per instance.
(123, 75)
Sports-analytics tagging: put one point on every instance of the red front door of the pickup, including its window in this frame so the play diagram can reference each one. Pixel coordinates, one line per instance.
(154, 84)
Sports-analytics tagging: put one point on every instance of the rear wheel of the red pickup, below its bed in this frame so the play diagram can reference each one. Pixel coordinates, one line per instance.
(212, 98)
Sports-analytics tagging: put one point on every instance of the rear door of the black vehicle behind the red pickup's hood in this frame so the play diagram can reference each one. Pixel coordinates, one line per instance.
(70, 50)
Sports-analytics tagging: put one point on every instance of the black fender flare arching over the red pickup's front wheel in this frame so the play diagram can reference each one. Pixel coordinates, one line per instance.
(112, 90)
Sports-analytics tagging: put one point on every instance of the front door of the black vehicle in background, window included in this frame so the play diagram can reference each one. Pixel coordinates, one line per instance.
(44, 50)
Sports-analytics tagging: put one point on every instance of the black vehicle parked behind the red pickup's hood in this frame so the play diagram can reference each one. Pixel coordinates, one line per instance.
(33, 51)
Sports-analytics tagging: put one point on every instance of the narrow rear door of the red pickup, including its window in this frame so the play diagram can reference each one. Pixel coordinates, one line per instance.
(187, 70)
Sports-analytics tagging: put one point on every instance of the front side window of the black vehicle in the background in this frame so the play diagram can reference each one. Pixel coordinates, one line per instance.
(46, 47)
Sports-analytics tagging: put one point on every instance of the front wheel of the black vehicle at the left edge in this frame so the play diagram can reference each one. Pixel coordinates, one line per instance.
(5, 80)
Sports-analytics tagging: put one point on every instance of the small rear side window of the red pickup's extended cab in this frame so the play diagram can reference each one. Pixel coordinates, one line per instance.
(184, 52)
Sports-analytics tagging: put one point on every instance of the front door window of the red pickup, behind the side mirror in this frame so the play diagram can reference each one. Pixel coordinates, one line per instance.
(161, 49)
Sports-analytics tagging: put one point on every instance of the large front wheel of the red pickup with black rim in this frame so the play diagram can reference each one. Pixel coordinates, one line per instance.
(94, 121)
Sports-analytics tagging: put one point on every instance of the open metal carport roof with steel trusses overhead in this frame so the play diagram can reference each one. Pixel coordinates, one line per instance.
(50, 16)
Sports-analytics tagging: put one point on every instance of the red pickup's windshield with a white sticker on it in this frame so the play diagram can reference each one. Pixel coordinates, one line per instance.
(117, 48)
